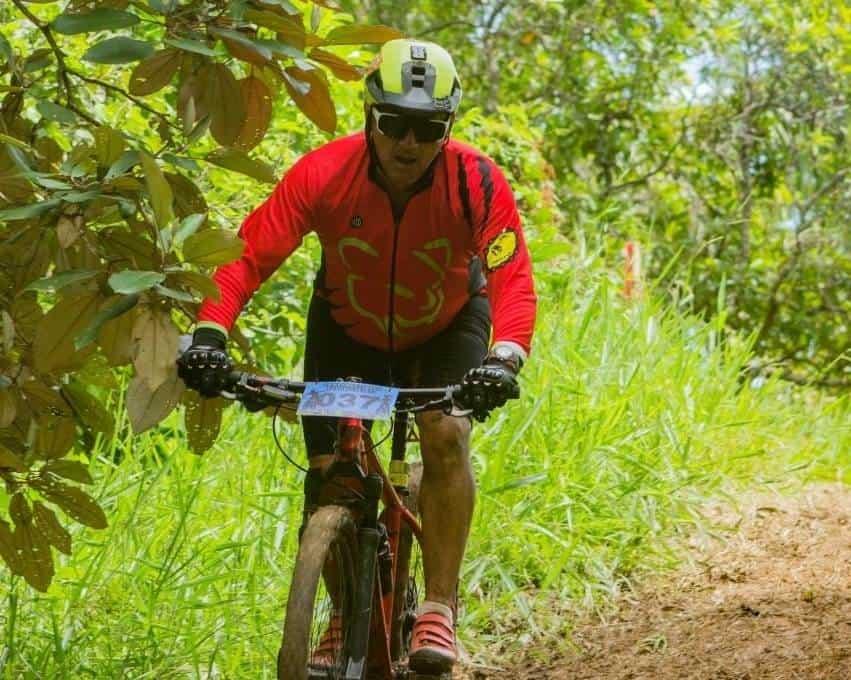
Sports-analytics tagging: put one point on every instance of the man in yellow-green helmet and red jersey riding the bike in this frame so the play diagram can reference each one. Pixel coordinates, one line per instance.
(421, 246)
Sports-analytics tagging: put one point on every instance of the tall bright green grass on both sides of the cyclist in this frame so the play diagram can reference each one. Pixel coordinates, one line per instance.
(631, 417)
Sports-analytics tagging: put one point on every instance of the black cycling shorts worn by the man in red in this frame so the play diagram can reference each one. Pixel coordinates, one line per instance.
(442, 360)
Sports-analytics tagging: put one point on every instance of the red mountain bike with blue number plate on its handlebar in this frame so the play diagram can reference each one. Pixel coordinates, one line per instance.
(358, 576)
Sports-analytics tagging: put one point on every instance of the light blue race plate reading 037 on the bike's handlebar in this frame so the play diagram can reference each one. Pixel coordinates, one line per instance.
(348, 400)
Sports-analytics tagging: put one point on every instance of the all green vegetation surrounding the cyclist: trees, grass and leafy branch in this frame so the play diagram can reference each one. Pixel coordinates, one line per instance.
(714, 134)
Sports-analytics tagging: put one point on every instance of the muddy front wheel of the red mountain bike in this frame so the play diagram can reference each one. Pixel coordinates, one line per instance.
(321, 599)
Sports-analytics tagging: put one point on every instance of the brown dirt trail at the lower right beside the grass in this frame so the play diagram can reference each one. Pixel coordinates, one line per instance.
(769, 600)
